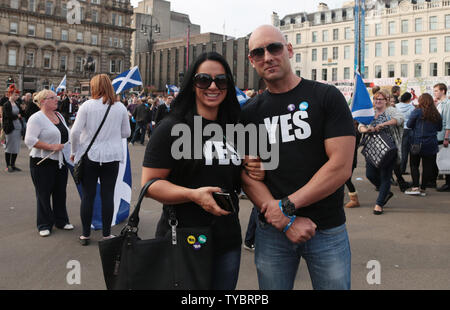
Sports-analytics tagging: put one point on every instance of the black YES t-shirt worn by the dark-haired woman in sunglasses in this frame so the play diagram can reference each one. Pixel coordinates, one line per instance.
(219, 166)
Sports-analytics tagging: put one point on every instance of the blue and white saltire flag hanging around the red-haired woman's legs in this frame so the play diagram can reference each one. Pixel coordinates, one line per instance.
(122, 191)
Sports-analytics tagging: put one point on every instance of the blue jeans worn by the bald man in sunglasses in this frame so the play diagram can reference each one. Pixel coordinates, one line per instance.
(327, 256)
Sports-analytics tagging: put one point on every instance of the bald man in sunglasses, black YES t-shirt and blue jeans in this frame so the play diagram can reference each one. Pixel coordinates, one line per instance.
(301, 200)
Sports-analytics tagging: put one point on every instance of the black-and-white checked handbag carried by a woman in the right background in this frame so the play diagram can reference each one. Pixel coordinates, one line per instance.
(379, 149)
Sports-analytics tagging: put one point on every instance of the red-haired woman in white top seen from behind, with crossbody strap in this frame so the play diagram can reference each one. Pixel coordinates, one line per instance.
(104, 155)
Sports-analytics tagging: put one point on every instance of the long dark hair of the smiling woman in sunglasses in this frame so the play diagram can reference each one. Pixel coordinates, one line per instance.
(184, 105)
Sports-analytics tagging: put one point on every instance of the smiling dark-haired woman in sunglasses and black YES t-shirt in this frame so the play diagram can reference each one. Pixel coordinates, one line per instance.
(207, 97)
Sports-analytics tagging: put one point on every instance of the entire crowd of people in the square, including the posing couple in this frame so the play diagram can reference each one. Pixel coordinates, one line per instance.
(298, 208)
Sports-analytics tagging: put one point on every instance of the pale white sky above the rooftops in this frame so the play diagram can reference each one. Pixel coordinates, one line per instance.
(240, 16)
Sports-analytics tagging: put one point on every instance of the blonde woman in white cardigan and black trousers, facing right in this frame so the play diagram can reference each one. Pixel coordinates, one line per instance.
(47, 135)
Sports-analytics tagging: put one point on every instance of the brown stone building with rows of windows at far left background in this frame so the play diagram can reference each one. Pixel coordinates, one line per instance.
(39, 45)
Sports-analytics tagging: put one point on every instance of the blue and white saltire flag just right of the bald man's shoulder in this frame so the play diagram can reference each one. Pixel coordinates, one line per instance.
(362, 107)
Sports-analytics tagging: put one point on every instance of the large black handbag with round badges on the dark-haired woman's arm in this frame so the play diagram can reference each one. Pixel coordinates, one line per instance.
(181, 260)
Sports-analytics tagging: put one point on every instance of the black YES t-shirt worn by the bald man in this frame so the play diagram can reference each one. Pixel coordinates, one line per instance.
(307, 115)
